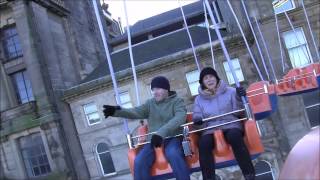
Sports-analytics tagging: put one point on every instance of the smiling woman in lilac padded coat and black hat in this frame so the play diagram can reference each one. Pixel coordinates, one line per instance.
(216, 98)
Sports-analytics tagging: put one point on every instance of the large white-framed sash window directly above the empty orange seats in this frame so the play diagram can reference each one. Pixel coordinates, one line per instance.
(297, 47)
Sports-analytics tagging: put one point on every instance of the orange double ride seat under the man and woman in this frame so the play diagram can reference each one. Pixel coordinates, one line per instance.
(223, 152)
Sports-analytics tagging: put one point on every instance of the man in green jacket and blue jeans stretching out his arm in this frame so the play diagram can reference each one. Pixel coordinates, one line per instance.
(165, 113)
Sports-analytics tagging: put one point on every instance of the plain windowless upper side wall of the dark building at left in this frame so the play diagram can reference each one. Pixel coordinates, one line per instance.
(84, 36)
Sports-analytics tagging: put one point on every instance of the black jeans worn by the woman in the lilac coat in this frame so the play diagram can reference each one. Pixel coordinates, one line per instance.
(235, 138)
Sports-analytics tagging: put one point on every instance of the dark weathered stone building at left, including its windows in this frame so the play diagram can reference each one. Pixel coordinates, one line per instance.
(46, 47)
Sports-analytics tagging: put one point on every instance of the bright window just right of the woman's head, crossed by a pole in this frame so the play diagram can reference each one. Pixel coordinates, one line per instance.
(237, 70)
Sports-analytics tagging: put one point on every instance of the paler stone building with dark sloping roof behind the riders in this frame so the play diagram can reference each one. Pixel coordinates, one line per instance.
(161, 47)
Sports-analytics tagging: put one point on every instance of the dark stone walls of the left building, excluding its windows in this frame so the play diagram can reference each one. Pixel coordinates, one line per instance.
(60, 47)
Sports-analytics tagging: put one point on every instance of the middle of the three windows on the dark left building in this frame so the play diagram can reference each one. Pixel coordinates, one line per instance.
(22, 86)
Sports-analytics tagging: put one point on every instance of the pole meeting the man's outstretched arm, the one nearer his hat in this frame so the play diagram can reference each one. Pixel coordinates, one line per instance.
(131, 55)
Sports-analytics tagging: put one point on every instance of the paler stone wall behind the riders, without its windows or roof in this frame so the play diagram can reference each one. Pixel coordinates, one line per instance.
(279, 132)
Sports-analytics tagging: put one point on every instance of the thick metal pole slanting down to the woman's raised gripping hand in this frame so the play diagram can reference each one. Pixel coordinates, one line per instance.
(226, 54)
